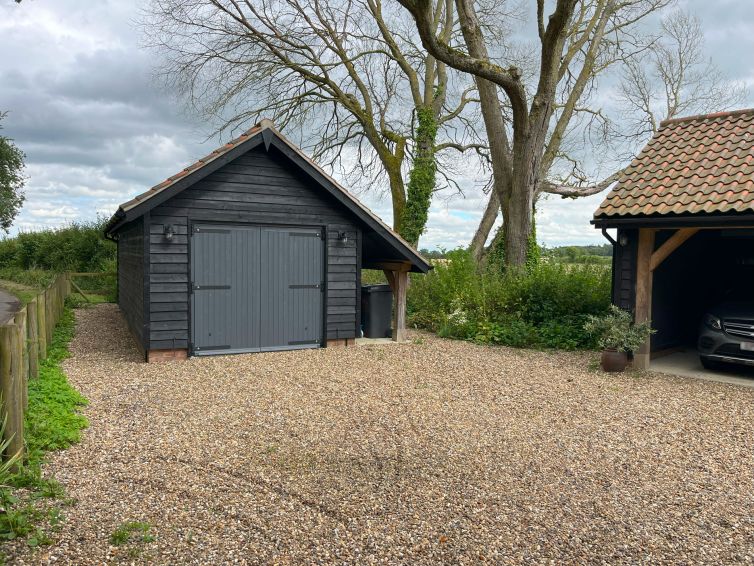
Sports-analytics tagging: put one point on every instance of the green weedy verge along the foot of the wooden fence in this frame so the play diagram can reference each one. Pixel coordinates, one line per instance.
(31, 502)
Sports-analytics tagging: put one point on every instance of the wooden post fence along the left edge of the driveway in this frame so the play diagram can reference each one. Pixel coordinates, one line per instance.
(23, 343)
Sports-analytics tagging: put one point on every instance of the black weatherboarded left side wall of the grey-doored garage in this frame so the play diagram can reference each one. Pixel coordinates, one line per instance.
(131, 277)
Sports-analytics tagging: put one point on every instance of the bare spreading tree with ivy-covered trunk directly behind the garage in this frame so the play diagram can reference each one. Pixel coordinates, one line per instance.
(351, 72)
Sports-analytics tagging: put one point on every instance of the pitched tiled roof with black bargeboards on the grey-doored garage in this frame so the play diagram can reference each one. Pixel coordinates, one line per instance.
(265, 132)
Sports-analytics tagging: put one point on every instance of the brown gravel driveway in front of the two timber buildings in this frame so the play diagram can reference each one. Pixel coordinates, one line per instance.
(430, 452)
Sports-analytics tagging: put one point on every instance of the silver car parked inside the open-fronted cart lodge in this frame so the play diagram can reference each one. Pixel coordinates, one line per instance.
(726, 335)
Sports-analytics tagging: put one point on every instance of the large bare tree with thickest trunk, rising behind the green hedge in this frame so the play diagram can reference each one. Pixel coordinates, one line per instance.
(577, 41)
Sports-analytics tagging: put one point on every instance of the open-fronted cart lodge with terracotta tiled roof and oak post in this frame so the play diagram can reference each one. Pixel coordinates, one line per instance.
(684, 214)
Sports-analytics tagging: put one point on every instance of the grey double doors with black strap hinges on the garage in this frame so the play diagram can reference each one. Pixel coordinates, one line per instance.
(256, 288)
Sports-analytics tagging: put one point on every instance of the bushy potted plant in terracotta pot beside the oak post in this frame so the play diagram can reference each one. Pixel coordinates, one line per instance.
(617, 335)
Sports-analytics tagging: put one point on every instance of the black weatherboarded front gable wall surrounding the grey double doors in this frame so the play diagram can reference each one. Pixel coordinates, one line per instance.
(259, 187)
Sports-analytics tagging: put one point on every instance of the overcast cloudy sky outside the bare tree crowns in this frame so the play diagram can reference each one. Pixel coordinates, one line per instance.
(97, 129)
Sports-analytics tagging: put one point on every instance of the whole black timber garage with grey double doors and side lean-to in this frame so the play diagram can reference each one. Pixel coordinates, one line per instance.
(252, 248)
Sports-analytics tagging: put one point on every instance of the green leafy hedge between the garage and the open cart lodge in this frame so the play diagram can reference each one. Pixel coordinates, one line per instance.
(543, 306)
